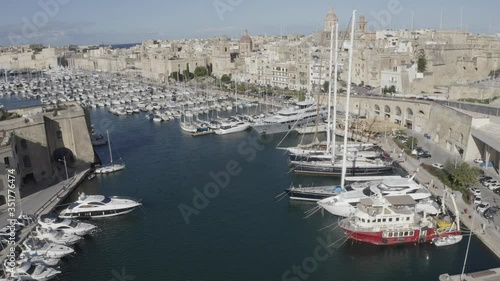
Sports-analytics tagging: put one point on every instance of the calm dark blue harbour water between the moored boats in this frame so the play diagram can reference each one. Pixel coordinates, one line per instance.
(243, 233)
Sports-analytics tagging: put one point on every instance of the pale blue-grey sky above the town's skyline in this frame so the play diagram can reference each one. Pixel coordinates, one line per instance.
(85, 22)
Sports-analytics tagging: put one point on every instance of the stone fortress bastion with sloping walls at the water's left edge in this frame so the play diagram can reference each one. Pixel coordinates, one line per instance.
(37, 143)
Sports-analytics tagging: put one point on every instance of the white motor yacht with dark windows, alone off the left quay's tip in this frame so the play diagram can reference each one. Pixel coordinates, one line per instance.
(99, 206)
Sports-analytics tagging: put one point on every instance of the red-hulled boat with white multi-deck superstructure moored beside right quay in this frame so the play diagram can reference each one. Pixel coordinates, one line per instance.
(394, 220)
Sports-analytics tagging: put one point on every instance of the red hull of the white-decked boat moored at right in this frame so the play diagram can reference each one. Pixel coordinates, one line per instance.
(378, 239)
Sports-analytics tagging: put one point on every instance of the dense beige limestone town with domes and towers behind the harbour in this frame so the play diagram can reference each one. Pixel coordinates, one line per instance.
(453, 64)
